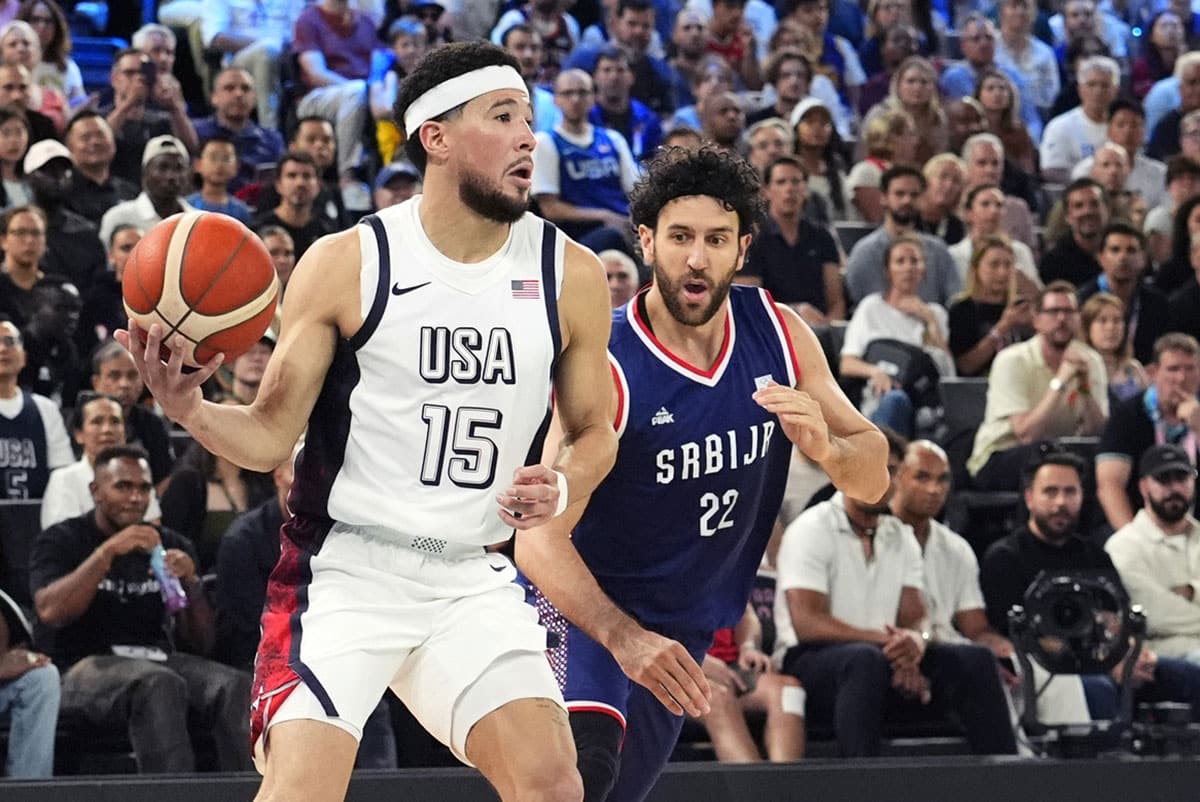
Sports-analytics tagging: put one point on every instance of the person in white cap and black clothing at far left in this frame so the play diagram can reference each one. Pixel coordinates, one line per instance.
(73, 242)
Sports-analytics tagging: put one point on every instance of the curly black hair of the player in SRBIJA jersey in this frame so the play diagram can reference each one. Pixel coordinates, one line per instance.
(681, 172)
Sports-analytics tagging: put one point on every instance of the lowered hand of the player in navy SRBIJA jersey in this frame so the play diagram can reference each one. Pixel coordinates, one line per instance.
(665, 668)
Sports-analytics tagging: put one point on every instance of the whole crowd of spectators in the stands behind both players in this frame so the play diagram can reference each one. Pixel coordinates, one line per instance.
(1005, 190)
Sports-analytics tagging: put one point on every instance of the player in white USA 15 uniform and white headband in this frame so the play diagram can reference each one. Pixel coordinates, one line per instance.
(419, 350)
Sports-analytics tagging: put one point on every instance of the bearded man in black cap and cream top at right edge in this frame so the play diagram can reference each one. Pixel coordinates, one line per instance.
(1159, 553)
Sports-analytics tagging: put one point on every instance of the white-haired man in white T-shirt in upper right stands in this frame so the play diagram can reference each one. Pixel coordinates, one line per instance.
(1073, 136)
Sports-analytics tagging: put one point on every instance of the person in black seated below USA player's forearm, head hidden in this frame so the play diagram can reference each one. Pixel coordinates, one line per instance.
(206, 494)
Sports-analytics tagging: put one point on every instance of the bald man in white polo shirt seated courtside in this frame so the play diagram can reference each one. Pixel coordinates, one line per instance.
(956, 611)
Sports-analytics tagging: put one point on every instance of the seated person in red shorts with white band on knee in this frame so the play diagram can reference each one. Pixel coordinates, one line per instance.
(743, 680)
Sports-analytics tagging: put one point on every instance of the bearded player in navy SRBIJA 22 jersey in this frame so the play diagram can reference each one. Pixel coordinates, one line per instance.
(713, 387)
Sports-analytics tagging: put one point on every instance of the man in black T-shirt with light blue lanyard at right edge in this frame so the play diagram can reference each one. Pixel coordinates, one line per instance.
(1166, 412)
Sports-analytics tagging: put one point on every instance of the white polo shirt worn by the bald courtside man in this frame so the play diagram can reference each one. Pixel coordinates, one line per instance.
(952, 583)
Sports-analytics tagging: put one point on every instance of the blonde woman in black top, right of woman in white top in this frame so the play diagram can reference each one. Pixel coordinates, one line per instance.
(992, 314)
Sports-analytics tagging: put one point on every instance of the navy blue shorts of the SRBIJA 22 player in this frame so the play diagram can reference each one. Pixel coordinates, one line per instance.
(593, 683)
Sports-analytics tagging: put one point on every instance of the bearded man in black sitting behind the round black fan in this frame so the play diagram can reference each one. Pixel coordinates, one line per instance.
(1051, 541)
